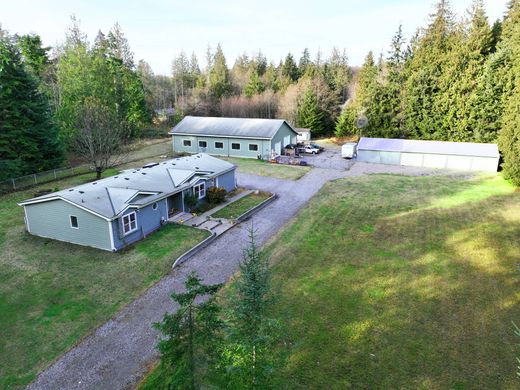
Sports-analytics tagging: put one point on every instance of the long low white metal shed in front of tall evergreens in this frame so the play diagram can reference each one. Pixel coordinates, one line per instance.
(432, 154)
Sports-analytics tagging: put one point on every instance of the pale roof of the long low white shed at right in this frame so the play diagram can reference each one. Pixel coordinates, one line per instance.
(429, 147)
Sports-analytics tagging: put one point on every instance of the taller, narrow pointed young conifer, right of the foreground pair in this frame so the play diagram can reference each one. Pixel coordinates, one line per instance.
(250, 356)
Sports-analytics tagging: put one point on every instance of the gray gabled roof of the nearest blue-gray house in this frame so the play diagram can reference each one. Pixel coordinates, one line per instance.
(109, 197)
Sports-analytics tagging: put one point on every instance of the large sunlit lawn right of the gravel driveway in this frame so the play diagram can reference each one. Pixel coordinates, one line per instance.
(393, 282)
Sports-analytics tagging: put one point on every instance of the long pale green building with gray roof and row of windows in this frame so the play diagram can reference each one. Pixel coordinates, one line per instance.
(234, 137)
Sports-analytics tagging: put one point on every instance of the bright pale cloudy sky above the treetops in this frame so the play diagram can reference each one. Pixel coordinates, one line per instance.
(159, 29)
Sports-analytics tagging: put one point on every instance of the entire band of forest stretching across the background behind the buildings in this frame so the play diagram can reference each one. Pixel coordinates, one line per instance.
(453, 80)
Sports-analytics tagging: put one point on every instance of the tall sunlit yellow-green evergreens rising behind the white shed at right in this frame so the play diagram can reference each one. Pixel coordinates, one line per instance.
(454, 81)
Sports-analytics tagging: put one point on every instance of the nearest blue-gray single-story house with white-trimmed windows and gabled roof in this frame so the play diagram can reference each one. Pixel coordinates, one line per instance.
(114, 212)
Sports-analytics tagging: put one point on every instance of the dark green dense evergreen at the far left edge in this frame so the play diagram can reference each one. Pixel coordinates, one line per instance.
(28, 137)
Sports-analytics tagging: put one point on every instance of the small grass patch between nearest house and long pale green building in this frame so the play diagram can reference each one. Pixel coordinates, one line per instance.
(265, 168)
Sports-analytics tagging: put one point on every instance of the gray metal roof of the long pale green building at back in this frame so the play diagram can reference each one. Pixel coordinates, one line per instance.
(229, 127)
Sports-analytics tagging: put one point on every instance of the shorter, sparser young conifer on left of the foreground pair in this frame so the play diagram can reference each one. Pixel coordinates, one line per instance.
(191, 341)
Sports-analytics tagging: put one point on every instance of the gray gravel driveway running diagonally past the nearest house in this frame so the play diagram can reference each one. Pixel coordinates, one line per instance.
(116, 355)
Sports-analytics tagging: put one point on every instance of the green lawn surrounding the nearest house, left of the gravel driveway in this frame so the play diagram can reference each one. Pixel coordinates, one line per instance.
(53, 293)
